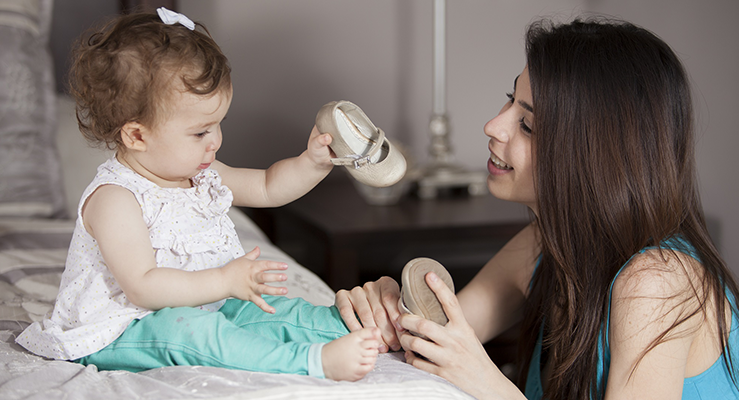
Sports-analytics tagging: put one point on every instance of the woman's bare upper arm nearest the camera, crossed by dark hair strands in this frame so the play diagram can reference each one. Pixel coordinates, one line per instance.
(649, 296)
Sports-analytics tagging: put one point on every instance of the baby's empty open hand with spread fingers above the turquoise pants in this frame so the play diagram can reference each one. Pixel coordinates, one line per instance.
(247, 277)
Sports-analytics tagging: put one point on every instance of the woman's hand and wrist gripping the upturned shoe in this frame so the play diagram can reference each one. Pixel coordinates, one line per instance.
(453, 351)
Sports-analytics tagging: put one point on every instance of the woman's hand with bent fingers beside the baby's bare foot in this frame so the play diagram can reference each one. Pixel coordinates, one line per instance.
(376, 305)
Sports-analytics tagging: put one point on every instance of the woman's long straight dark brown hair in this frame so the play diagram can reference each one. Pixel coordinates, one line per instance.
(615, 172)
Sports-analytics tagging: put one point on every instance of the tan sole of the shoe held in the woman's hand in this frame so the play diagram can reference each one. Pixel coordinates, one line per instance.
(416, 297)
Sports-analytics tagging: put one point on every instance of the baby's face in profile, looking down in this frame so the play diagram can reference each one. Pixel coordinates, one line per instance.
(187, 140)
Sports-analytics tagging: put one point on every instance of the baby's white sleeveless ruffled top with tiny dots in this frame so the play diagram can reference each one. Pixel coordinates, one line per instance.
(189, 230)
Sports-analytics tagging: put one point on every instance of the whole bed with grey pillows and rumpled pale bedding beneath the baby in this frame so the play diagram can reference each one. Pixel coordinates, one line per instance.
(45, 165)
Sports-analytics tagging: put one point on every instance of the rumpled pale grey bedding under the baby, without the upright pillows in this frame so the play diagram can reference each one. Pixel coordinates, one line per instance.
(32, 255)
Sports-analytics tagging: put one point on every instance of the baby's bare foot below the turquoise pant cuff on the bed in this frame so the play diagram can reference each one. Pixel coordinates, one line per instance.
(351, 357)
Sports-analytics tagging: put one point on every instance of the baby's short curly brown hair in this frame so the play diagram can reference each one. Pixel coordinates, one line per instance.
(126, 72)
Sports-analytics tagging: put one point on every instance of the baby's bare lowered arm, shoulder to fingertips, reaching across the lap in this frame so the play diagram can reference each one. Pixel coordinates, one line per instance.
(113, 217)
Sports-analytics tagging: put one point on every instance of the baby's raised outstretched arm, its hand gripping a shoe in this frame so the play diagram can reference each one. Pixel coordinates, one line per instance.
(285, 180)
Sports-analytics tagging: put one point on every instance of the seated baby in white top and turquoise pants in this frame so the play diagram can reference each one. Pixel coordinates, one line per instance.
(156, 275)
